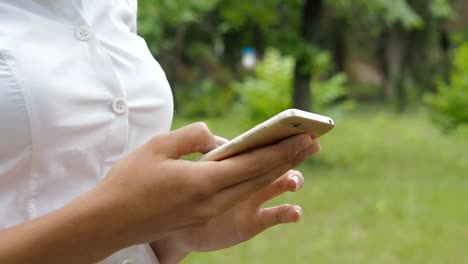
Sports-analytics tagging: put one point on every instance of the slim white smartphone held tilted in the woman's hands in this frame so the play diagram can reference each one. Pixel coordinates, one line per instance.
(285, 124)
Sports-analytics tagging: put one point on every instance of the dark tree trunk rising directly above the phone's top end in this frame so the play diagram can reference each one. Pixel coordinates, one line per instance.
(302, 98)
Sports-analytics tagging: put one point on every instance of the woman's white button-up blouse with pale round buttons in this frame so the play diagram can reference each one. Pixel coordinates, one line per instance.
(78, 90)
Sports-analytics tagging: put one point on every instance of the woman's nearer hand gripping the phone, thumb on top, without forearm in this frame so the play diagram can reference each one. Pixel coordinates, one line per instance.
(152, 192)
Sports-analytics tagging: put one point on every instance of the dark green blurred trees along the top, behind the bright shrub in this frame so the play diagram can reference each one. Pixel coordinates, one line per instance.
(406, 42)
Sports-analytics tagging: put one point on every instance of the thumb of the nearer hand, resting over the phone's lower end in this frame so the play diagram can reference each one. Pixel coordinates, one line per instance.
(186, 140)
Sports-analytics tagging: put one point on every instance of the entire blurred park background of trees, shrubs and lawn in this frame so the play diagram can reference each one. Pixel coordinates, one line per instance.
(391, 183)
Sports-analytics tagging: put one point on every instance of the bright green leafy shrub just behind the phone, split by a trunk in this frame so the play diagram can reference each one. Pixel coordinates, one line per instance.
(269, 91)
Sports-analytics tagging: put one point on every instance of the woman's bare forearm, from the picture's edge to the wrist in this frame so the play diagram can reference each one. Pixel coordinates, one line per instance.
(78, 233)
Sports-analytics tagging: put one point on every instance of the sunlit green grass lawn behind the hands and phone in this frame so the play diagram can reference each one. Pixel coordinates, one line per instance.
(384, 189)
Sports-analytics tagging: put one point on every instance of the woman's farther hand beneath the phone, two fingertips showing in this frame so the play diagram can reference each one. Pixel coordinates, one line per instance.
(236, 225)
